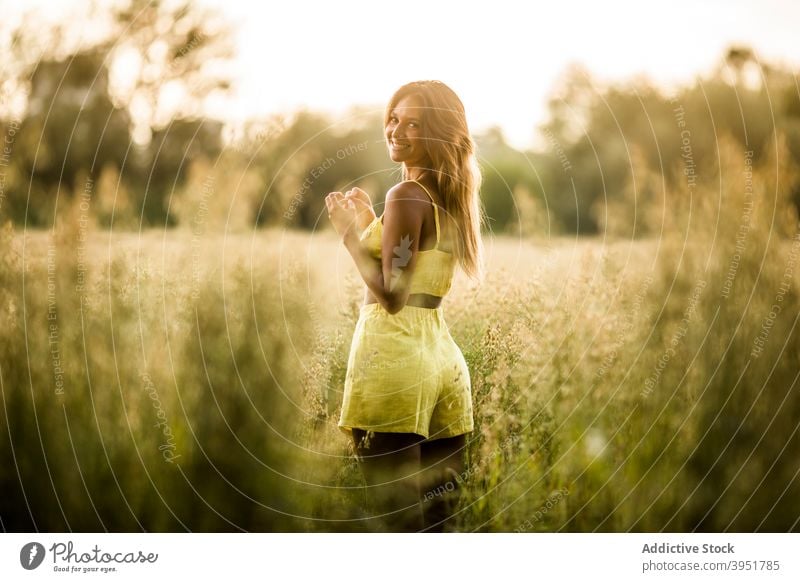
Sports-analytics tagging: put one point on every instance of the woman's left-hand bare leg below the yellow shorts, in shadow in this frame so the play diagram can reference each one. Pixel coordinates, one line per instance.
(390, 463)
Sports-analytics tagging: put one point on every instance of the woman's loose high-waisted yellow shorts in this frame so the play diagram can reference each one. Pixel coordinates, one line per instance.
(405, 373)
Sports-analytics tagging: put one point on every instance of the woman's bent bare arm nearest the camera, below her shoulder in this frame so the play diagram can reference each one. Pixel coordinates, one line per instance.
(390, 280)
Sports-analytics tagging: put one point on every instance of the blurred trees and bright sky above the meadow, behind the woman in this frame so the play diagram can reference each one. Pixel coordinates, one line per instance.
(141, 97)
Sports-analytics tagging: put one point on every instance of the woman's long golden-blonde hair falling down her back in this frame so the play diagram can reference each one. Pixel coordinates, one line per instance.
(452, 152)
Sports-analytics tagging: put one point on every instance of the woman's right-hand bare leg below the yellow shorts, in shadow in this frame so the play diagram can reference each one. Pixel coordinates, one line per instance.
(442, 474)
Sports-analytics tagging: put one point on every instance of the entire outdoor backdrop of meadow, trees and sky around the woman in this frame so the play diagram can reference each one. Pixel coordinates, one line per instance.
(177, 311)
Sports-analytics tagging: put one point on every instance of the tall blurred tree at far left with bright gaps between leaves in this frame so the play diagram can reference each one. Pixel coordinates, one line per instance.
(132, 101)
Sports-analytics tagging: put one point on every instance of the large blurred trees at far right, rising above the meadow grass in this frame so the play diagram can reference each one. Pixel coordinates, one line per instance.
(594, 133)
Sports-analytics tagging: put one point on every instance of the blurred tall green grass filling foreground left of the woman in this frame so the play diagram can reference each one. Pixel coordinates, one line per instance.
(153, 397)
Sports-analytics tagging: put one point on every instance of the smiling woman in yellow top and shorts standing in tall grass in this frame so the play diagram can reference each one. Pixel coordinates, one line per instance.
(407, 398)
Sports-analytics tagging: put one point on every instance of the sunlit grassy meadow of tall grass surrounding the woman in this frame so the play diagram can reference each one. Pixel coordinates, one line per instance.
(189, 380)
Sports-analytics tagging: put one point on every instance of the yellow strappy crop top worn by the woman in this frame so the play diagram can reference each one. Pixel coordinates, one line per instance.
(434, 269)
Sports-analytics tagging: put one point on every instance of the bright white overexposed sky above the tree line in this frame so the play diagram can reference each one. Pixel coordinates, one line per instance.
(501, 56)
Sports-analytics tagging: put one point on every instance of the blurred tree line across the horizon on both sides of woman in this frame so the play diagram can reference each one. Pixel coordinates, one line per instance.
(611, 160)
